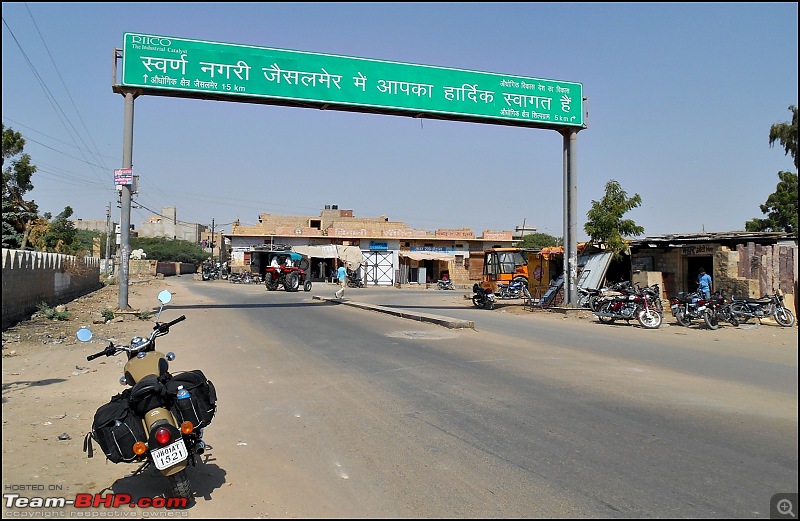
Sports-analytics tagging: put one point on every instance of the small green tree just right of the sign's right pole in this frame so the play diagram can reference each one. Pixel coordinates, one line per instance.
(605, 224)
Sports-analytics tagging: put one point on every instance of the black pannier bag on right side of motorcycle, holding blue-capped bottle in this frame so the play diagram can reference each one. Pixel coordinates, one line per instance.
(201, 405)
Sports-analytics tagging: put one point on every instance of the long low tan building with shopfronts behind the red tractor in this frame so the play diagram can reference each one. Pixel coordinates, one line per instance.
(391, 252)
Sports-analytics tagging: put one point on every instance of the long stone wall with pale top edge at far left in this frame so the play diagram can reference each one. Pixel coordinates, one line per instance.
(31, 278)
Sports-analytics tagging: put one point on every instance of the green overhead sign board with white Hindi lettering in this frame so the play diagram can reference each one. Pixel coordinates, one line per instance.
(163, 63)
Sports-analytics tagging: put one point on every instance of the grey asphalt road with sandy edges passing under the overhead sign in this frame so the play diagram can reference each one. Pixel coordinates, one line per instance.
(364, 414)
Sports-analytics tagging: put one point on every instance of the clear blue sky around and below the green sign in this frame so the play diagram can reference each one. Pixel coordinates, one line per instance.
(681, 97)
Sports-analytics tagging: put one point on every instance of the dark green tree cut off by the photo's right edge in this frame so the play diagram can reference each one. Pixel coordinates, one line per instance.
(781, 205)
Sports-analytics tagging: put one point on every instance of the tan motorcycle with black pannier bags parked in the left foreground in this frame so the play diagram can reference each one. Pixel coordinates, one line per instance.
(160, 418)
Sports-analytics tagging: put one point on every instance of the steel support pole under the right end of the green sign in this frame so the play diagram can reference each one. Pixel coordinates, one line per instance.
(570, 217)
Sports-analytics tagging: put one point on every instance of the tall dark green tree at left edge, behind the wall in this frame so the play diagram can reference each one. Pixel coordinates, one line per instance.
(17, 212)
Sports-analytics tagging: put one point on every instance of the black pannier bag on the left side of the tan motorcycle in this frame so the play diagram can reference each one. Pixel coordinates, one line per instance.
(116, 428)
